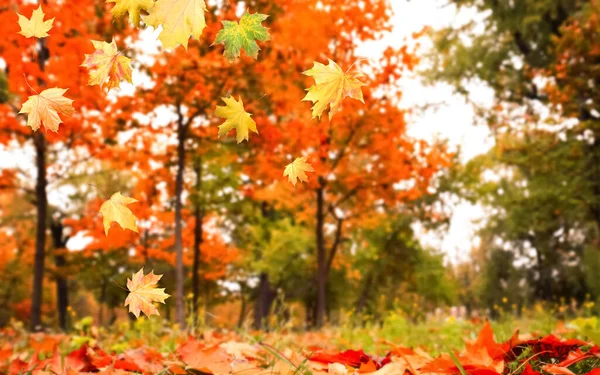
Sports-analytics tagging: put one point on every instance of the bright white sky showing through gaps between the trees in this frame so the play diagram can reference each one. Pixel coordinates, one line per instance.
(451, 119)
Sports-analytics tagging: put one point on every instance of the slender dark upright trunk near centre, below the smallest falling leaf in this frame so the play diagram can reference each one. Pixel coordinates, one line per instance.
(321, 306)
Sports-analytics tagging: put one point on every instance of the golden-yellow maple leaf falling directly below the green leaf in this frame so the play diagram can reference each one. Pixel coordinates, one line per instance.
(236, 118)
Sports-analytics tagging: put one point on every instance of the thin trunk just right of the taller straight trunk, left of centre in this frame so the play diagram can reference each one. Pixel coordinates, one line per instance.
(198, 233)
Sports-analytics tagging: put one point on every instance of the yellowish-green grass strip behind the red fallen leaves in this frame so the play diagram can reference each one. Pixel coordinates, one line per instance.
(434, 335)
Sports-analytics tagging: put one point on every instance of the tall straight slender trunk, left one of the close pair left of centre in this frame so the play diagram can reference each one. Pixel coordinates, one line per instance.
(179, 271)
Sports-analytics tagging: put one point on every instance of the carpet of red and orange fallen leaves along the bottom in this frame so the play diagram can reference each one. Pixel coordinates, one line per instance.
(228, 354)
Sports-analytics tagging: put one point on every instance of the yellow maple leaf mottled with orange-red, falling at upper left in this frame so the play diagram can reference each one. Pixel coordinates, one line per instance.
(107, 65)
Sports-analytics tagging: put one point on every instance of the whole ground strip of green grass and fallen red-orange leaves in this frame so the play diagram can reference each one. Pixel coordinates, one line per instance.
(449, 346)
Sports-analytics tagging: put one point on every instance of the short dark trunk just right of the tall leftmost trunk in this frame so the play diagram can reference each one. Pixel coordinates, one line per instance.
(59, 243)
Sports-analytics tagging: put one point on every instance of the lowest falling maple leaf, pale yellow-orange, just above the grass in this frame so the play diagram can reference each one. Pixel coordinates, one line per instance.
(143, 293)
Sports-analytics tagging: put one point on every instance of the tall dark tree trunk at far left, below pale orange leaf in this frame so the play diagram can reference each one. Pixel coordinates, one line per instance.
(42, 210)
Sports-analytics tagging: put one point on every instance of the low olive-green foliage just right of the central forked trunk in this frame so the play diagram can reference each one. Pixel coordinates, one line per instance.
(398, 272)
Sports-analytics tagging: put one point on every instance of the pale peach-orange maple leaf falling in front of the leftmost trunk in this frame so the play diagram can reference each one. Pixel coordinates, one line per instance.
(44, 109)
